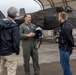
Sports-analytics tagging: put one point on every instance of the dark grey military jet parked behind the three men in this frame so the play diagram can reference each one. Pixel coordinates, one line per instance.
(47, 19)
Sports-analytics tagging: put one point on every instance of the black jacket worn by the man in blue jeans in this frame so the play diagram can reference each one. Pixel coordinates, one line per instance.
(66, 40)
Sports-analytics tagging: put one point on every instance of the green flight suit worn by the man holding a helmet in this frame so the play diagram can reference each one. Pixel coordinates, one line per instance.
(28, 48)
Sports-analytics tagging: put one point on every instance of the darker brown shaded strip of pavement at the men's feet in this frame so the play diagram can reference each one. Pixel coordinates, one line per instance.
(47, 69)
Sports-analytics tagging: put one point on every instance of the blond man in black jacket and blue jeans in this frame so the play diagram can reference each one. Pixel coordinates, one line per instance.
(66, 42)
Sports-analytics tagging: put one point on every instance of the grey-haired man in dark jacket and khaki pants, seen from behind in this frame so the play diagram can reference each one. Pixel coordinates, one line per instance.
(9, 42)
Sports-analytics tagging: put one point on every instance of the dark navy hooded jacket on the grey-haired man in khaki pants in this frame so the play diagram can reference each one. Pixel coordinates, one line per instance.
(9, 37)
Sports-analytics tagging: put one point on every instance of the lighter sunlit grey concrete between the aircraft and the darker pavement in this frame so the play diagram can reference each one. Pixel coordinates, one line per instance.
(48, 52)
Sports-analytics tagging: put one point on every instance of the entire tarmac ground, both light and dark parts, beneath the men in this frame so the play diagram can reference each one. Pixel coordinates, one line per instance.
(48, 60)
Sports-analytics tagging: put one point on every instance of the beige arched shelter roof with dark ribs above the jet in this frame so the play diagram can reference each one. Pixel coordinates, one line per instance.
(44, 4)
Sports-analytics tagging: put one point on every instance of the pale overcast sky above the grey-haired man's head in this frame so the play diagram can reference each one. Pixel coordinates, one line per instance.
(29, 5)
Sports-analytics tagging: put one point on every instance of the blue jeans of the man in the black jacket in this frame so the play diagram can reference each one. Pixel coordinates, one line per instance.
(64, 60)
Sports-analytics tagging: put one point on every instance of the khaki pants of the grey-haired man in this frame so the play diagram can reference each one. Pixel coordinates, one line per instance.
(11, 63)
